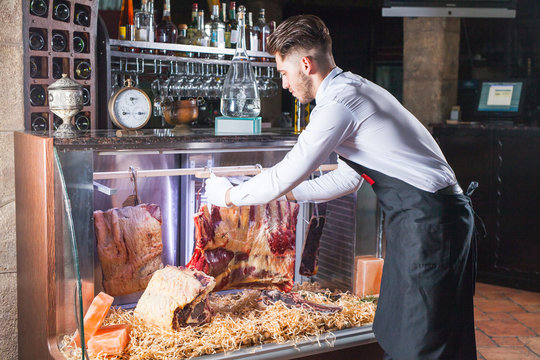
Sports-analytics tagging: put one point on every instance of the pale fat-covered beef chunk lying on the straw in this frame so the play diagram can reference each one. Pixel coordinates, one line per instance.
(176, 297)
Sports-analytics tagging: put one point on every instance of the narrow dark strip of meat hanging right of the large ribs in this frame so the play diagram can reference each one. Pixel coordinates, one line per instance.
(309, 264)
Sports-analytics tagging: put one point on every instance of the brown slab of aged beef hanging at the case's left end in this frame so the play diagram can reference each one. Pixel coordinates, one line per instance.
(129, 246)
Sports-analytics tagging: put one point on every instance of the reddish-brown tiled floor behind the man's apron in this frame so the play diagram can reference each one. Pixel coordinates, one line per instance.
(507, 323)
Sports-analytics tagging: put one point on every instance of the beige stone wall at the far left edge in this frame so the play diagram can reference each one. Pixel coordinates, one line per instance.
(11, 119)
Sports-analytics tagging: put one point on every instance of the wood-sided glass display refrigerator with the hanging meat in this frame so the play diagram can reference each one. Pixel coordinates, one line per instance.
(60, 182)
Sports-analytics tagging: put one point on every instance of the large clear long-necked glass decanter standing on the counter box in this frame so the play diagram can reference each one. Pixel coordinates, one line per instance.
(240, 95)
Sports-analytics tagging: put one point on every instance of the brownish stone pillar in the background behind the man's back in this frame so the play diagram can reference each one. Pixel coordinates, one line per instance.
(430, 67)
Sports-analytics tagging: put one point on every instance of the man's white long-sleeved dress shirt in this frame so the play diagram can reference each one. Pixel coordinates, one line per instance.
(364, 123)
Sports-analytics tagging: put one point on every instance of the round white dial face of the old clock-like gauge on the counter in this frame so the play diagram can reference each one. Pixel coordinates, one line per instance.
(132, 108)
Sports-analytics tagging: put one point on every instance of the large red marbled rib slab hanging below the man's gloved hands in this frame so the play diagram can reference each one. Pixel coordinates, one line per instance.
(248, 246)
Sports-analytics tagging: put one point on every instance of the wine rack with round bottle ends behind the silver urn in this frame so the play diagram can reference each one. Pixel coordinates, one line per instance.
(59, 37)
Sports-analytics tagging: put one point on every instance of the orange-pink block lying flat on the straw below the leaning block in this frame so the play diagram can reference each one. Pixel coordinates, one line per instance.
(109, 340)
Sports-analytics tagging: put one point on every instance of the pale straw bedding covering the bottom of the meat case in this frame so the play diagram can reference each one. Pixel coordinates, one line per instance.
(239, 323)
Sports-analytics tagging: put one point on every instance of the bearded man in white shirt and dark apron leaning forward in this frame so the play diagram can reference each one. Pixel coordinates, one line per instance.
(425, 308)
